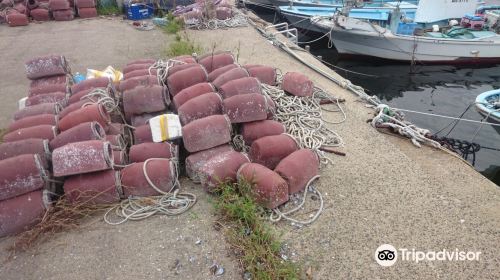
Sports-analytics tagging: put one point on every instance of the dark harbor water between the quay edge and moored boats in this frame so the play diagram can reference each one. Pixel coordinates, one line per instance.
(435, 89)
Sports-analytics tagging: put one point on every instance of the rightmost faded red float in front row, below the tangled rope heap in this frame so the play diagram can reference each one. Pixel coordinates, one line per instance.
(298, 168)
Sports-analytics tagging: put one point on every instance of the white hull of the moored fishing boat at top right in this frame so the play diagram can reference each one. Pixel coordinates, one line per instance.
(386, 45)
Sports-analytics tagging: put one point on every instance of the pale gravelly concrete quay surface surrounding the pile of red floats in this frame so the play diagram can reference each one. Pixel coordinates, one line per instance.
(384, 191)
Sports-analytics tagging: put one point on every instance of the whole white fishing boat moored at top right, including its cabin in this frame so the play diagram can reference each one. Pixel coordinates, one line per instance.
(403, 40)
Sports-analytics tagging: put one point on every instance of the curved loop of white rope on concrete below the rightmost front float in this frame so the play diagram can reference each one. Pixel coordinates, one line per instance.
(277, 215)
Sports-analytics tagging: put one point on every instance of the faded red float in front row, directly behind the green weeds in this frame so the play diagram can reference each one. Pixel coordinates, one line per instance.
(269, 188)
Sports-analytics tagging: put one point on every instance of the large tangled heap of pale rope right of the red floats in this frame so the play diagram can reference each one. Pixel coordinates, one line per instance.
(303, 119)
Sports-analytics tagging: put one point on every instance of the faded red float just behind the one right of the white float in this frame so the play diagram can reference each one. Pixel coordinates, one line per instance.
(205, 105)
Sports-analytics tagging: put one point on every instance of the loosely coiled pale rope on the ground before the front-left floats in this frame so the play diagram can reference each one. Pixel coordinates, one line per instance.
(139, 208)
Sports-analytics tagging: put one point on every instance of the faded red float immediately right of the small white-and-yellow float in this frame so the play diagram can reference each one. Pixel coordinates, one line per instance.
(206, 133)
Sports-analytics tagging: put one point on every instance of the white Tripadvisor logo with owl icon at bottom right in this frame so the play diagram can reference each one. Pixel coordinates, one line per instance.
(387, 255)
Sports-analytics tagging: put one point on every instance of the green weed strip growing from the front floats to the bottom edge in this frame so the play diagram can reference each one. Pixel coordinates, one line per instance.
(255, 243)
